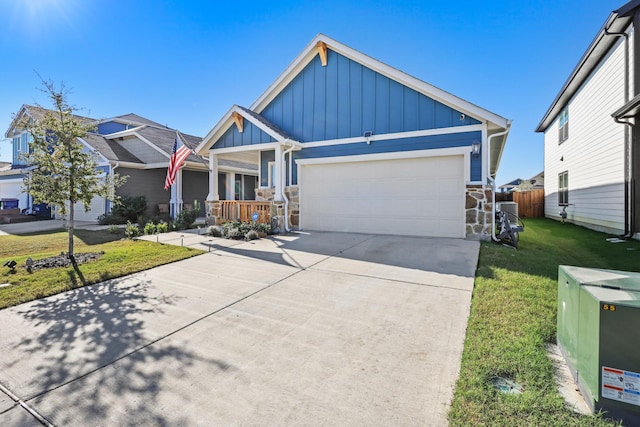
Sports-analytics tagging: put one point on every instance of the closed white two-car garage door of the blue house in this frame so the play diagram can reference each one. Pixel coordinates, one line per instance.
(414, 197)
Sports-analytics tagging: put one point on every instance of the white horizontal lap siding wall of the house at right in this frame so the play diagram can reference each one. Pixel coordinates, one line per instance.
(593, 154)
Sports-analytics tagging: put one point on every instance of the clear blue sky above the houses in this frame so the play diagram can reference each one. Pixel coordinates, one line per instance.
(184, 64)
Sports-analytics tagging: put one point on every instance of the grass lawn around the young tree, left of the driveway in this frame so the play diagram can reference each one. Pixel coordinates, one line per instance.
(121, 257)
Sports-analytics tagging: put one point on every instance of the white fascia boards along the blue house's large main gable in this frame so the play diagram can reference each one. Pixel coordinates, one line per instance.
(393, 73)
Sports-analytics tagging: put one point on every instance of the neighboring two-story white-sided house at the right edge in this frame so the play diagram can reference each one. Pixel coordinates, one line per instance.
(590, 137)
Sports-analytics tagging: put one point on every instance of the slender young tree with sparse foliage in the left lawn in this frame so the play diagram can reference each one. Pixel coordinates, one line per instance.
(63, 172)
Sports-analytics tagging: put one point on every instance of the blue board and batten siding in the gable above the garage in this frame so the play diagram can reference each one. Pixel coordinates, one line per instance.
(345, 99)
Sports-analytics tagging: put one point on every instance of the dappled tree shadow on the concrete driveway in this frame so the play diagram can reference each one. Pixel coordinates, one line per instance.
(96, 328)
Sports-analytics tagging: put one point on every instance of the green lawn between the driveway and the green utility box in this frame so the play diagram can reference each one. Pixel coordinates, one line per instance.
(513, 318)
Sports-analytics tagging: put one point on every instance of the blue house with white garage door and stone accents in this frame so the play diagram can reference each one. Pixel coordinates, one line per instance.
(343, 142)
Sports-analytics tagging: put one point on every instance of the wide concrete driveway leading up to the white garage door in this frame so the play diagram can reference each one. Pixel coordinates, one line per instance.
(305, 329)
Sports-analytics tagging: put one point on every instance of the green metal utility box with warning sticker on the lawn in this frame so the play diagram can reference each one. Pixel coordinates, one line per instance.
(599, 336)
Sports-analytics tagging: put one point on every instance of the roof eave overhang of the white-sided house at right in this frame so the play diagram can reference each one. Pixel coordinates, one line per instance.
(617, 22)
